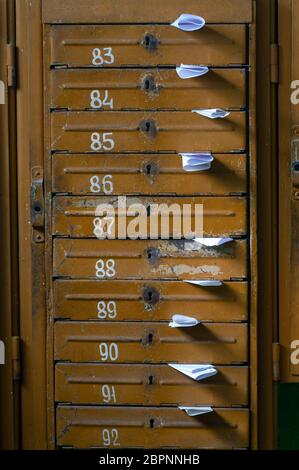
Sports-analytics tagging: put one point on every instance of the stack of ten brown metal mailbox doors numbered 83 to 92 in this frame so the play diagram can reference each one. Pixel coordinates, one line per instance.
(119, 130)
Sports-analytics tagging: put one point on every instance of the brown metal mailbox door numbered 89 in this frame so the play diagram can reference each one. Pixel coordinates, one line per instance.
(149, 301)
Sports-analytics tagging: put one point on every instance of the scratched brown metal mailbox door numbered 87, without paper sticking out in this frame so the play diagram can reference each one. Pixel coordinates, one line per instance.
(75, 216)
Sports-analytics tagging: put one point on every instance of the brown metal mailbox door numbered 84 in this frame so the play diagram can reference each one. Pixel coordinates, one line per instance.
(146, 89)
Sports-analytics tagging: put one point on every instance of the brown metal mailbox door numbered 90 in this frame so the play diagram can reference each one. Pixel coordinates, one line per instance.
(218, 343)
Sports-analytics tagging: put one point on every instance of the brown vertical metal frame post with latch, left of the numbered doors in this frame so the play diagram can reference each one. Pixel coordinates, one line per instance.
(32, 305)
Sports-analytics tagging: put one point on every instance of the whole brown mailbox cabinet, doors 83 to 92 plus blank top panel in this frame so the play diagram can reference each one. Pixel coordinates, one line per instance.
(116, 124)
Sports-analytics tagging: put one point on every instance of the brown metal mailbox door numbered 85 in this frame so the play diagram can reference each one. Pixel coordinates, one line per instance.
(135, 131)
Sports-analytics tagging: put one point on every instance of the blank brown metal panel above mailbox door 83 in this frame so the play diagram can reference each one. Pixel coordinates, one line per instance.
(166, 11)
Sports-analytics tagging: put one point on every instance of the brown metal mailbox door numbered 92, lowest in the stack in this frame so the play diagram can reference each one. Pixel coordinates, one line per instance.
(120, 427)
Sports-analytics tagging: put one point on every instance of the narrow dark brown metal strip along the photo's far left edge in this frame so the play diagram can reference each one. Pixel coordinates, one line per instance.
(9, 324)
